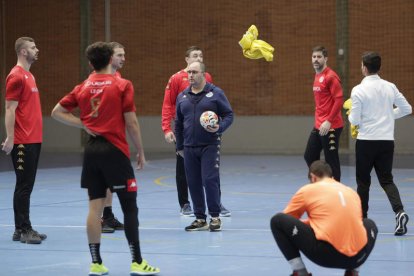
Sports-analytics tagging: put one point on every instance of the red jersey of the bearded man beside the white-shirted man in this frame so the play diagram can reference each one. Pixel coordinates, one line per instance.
(328, 95)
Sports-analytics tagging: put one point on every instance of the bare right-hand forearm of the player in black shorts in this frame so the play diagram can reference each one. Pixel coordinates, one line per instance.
(134, 132)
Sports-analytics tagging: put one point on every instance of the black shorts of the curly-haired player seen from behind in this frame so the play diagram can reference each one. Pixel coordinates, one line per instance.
(105, 166)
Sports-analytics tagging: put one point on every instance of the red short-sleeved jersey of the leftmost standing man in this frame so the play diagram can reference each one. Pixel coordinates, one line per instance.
(21, 87)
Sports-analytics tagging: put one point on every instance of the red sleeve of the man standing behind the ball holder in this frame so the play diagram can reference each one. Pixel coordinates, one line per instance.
(168, 105)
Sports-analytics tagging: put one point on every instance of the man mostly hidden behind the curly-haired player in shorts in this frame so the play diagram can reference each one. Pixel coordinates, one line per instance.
(109, 222)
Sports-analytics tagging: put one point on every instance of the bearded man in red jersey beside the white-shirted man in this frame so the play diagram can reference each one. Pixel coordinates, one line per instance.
(328, 125)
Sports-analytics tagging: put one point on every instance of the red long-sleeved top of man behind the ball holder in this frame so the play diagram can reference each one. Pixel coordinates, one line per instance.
(176, 84)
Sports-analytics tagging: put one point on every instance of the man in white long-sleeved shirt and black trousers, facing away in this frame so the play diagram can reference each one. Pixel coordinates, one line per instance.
(373, 112)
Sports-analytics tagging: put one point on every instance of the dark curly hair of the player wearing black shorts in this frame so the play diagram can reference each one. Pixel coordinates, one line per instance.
(99, 54)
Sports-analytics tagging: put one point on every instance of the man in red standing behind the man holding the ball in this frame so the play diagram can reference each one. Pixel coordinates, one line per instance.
(176, 84)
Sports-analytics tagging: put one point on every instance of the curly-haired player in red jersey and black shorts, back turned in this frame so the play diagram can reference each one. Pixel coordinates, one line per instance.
(107, 111)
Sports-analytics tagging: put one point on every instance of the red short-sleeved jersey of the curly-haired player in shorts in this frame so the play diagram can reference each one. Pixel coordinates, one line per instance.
(103, 99)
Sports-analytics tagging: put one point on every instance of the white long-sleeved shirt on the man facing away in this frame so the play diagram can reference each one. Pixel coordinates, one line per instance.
(373, 110)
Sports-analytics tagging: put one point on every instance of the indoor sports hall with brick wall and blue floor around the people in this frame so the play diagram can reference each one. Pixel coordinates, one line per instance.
(261, 156)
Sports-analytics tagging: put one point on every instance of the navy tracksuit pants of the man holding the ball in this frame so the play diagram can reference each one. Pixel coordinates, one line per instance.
(202, 166)
